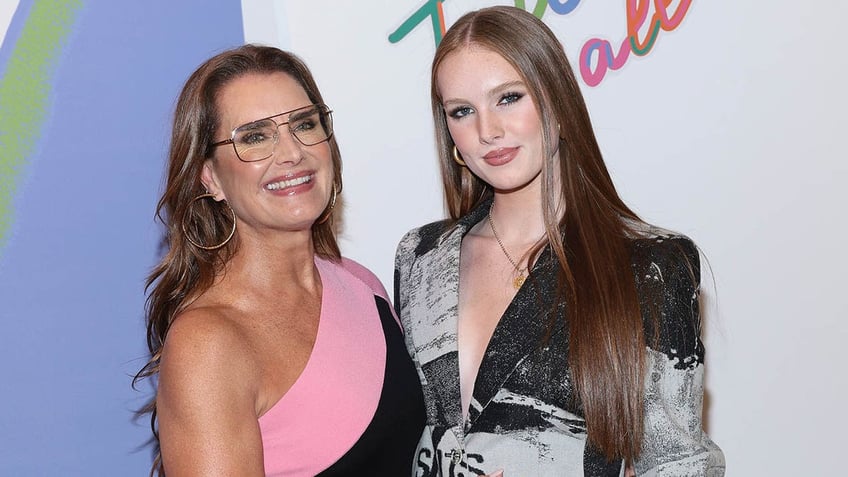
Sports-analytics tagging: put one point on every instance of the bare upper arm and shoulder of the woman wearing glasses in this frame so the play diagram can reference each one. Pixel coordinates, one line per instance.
(206, 401)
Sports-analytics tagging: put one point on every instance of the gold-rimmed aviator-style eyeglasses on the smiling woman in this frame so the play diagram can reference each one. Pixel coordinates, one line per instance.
(256, 140)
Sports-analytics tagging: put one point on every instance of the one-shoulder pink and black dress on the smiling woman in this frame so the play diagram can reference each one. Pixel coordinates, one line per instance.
(357, 408)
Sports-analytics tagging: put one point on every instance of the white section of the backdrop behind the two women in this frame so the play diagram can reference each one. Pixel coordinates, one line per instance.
(730, 130)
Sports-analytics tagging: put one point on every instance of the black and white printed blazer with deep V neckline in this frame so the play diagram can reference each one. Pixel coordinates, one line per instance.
(524, 415)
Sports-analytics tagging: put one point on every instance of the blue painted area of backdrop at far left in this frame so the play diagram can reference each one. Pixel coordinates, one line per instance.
(72, 273)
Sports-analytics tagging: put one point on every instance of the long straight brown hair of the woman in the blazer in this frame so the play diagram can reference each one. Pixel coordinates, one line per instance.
(595, 278)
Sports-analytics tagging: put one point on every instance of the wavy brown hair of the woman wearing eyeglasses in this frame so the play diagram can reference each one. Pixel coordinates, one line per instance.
(187, 271)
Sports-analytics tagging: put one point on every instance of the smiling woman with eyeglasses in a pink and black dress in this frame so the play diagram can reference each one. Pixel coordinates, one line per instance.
(274, 355)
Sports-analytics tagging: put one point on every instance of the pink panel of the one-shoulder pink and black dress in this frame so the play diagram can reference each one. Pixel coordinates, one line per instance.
(334, 399)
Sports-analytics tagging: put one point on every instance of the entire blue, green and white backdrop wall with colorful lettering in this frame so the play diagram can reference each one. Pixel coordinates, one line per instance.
(720, 120)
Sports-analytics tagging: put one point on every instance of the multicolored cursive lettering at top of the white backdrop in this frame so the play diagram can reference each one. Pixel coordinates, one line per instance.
(597, 55)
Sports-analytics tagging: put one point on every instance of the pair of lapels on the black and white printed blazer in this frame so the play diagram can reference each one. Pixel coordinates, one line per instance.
(435, 304)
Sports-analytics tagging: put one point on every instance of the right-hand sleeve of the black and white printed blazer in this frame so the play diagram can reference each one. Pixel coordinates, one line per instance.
(674, 442)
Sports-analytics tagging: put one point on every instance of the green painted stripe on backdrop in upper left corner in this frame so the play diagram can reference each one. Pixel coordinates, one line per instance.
(25, 93)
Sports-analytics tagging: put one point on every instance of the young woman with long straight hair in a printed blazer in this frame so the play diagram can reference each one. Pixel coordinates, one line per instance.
(556, 333)
